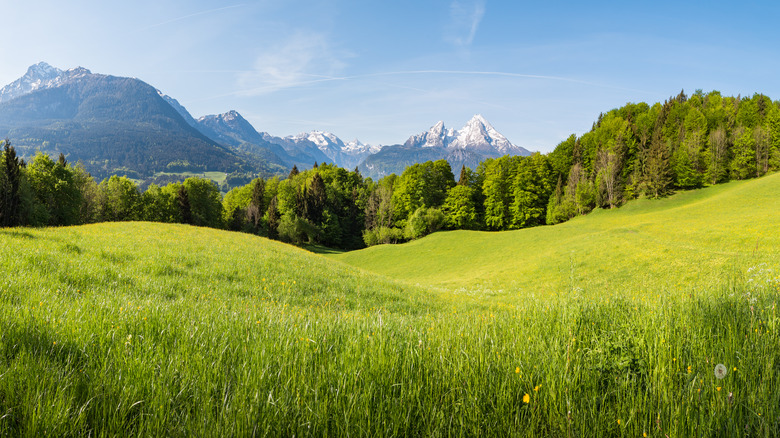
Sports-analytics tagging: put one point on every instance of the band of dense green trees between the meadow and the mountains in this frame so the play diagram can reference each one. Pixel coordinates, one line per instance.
(634, 151)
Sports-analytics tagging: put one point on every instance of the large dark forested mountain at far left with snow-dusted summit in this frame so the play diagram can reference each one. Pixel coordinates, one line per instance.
(113, 125)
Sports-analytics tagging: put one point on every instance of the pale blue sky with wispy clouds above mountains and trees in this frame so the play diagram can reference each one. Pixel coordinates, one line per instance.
(380, 71)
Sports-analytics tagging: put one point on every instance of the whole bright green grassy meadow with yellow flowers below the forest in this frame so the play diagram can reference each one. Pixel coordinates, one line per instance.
(607, 325)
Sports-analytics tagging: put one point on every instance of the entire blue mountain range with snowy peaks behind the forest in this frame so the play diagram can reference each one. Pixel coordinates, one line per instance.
(118, 125)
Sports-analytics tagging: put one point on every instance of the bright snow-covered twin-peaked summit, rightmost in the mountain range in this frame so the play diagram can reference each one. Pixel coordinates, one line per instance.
(478, 135)
